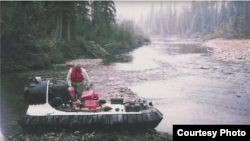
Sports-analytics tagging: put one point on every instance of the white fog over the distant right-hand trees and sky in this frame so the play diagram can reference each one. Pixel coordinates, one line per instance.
(197, 19)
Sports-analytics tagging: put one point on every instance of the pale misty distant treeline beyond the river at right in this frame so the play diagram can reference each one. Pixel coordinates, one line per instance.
(201, 18)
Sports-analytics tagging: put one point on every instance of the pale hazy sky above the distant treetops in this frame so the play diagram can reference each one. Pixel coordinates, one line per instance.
(134, 9)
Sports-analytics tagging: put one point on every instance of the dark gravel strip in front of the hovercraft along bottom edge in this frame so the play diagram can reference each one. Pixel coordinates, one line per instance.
(85, 135)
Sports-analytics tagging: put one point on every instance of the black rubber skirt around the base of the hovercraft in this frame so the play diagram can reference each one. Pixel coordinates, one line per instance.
(149, 118)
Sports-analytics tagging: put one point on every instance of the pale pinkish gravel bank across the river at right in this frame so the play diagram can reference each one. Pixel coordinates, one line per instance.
(230, 51)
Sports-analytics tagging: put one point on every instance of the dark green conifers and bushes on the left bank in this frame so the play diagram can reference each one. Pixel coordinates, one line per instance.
(37, 33)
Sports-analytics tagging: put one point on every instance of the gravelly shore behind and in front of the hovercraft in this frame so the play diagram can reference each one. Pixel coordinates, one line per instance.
(107, 82)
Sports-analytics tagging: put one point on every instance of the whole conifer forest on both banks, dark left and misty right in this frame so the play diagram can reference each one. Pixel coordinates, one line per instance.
(37, 33)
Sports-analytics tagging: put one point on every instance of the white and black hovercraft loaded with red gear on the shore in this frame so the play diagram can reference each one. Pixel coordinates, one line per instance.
(50, 106)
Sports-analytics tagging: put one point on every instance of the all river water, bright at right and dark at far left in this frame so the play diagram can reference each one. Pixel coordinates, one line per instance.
(177, 75)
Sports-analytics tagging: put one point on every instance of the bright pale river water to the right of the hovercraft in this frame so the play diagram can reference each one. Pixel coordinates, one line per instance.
(188, 87)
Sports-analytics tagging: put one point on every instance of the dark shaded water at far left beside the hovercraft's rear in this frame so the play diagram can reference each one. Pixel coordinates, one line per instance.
(11, 103)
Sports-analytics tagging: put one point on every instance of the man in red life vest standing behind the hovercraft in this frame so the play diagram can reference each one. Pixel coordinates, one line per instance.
(78, 78)
